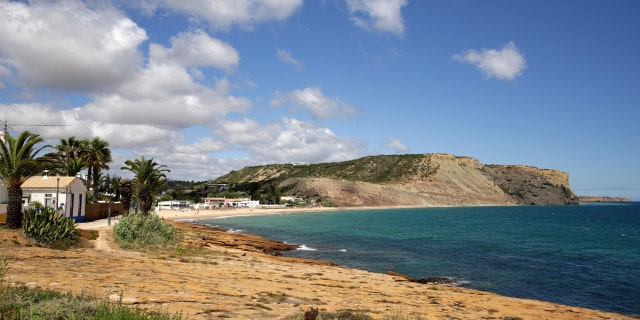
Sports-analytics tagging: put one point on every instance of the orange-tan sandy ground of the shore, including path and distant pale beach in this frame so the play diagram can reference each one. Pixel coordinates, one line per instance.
(236, 284)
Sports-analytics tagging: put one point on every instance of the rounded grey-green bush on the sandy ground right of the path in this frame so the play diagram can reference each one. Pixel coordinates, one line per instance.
(136, 229)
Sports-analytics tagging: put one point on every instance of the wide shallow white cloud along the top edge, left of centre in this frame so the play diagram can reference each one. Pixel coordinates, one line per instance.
(224, 14)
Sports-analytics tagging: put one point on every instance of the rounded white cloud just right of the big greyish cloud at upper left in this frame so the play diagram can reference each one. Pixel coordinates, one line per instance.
(195, 49)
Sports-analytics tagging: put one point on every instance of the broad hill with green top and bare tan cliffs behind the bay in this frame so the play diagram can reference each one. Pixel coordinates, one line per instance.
(410, 180)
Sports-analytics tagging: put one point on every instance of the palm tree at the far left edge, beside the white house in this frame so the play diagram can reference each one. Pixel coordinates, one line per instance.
(18, 161)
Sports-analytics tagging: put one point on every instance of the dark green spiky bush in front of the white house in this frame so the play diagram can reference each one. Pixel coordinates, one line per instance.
(47, 226)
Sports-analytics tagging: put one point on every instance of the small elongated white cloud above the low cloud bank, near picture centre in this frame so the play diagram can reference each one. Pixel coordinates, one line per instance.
(313, 100)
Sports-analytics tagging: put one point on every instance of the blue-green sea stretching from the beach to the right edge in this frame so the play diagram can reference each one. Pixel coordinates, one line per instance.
(586, 255)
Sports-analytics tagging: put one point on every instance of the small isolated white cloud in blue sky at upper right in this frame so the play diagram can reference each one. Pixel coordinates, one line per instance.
(504, 64)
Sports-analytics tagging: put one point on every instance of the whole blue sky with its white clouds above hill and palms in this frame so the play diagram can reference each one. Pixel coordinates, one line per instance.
(209, 86)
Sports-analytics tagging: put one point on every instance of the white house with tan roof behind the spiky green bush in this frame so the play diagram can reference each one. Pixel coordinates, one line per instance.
(68, 194)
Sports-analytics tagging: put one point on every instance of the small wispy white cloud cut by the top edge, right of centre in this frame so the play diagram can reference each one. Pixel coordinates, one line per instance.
(379, 15)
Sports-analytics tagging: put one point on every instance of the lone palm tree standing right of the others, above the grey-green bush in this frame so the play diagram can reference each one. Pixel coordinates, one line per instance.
(149, 178)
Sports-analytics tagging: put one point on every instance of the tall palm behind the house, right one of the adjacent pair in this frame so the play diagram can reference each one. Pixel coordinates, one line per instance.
(96, 153)
